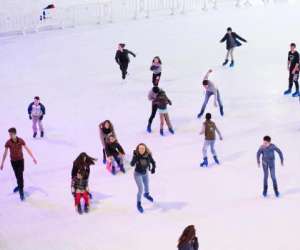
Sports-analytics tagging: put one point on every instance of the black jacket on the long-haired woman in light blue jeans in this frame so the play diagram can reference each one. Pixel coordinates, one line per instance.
(142, 163)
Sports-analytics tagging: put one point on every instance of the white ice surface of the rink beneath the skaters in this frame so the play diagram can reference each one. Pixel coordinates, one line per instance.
(75, 74)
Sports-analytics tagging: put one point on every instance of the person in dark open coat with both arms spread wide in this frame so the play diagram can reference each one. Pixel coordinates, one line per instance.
(232, 40)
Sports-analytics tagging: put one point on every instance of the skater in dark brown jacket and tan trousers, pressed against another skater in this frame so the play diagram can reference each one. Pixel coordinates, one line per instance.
(162, 102)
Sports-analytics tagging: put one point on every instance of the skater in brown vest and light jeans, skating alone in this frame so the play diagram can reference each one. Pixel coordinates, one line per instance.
(209, 130)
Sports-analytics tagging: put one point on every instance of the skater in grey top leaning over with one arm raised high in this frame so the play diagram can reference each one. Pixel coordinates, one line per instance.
(211, 89)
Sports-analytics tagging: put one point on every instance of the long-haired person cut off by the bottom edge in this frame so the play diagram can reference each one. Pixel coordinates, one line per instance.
(188, 239)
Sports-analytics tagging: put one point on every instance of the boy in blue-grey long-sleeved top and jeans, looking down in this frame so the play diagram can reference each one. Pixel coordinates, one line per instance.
(267, 150)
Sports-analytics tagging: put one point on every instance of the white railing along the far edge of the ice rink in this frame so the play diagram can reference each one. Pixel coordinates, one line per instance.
(105, 12)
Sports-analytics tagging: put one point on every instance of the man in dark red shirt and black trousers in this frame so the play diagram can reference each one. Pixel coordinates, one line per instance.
(15, 146)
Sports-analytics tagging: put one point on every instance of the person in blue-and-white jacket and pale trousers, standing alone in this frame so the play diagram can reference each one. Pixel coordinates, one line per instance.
(36, 112)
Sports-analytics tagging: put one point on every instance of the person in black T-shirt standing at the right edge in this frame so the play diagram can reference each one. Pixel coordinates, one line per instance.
(293, 68)
